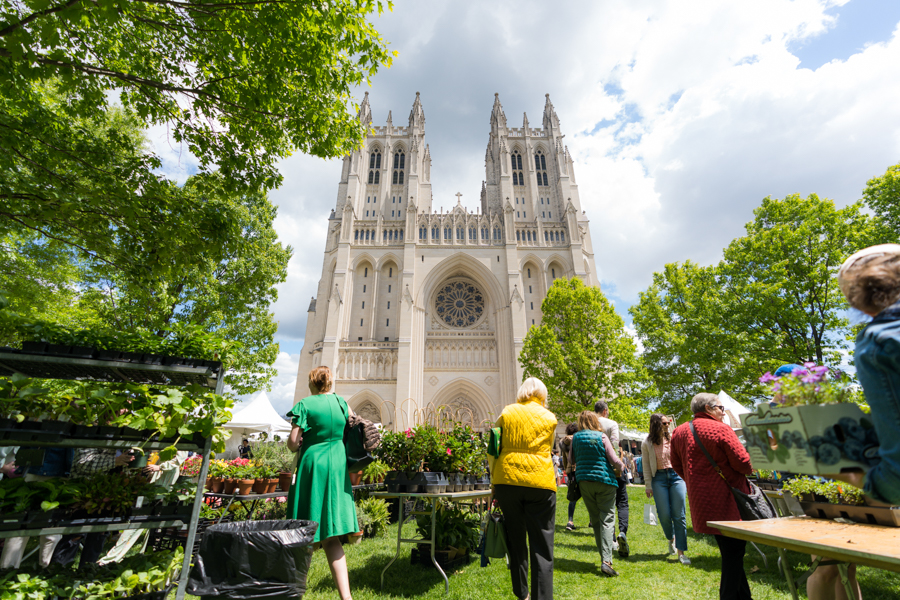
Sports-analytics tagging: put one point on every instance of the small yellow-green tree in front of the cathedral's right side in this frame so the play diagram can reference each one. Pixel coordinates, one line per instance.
(582, 353)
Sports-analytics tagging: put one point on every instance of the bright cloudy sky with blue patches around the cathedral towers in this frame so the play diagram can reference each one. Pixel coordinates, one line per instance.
(681, 117)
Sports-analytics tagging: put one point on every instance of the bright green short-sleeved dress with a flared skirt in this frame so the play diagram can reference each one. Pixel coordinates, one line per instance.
(321, 489)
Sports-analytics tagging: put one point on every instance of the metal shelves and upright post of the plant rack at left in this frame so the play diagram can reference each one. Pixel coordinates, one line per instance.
(42, 366)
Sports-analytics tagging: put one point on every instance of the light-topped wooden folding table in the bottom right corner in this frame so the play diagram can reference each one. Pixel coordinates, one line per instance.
(872, 545)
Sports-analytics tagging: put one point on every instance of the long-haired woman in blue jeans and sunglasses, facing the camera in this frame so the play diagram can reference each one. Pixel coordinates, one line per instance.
(663, 484)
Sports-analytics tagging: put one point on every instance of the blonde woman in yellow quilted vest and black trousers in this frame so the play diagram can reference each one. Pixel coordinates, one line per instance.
(524, 484)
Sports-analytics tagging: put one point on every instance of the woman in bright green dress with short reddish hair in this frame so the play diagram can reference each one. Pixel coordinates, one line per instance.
(320, 490)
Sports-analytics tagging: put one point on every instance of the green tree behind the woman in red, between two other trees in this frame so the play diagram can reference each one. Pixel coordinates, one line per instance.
(689, 344)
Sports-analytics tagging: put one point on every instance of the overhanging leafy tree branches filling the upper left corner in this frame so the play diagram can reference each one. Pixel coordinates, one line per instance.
(242, 85)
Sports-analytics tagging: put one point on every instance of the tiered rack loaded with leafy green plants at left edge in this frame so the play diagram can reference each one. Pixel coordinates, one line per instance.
(137, 391)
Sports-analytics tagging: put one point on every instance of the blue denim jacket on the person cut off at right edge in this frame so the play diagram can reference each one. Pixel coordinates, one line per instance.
(877, 362)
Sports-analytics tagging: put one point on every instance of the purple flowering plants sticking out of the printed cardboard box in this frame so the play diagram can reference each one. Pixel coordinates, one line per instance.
(810, 384)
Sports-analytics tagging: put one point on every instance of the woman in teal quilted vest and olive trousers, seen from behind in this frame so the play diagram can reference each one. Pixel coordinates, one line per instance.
(597, 468)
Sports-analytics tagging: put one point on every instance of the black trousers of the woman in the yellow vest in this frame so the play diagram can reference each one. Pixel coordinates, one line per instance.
(529, 512)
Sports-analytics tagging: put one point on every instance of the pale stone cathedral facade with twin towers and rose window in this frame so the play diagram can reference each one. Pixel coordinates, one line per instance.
(418, 310)
